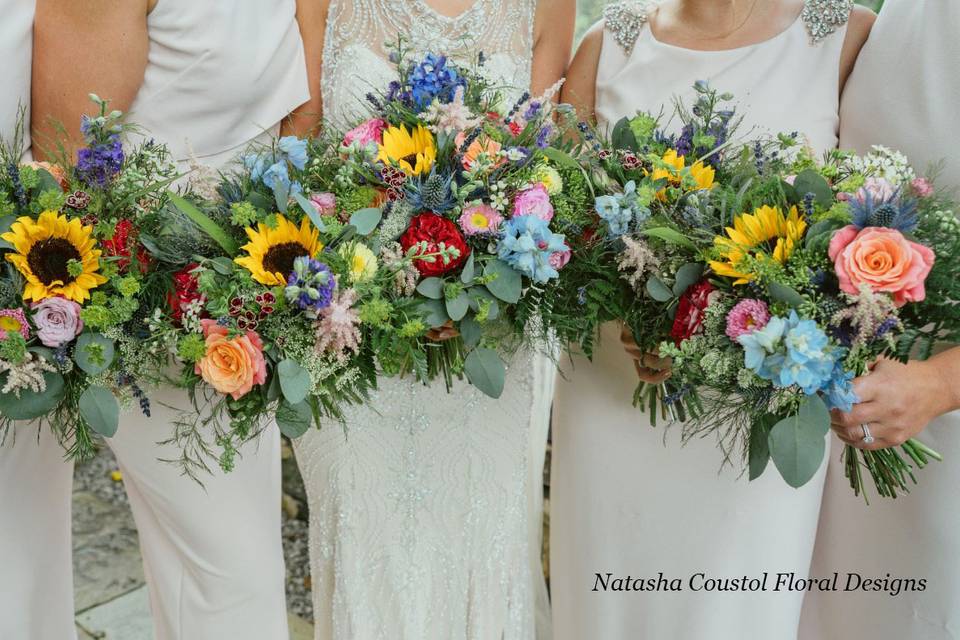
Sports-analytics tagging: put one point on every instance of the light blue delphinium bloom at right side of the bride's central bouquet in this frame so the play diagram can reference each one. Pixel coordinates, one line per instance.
(527, 243)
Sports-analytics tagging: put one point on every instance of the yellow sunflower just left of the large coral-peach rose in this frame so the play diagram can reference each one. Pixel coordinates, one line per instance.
(764, 233)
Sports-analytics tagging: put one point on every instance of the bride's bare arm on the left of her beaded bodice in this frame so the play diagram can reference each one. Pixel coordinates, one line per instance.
(306, 119)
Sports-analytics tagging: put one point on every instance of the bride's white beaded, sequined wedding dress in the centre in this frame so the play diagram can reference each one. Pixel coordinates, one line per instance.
(424, 517)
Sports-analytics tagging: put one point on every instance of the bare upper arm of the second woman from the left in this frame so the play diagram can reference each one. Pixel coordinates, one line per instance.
(82, 47)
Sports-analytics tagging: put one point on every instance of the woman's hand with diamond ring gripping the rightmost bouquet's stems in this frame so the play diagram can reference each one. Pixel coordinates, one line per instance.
(897, 402)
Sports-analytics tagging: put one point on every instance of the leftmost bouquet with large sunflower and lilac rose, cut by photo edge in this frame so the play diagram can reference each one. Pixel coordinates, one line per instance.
(70, 287)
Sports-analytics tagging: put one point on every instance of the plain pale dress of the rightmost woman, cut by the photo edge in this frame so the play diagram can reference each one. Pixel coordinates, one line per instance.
(902, 94)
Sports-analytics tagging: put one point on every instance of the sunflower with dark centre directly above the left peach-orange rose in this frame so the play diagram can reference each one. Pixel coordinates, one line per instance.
(272, 251)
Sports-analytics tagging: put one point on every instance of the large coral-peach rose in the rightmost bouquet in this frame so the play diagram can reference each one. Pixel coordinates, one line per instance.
(882, 259)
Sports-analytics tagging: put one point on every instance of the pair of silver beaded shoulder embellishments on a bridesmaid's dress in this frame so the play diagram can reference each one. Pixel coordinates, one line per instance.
(820, 17)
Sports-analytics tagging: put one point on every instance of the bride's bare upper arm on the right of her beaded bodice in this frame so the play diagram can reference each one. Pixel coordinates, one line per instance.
(552, 42)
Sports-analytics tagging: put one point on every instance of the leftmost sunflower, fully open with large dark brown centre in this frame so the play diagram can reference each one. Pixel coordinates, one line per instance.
(56, 256)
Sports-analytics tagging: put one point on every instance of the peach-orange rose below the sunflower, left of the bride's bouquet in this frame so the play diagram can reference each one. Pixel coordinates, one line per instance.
(231, 366)
